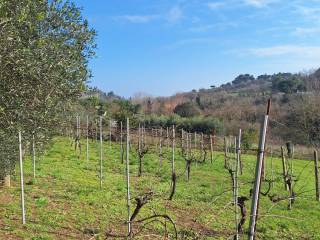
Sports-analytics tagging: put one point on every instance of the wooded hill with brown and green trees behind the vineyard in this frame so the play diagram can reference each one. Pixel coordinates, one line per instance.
(239, 103)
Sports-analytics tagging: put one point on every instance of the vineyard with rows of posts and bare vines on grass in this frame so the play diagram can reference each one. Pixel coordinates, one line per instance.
(106, 181)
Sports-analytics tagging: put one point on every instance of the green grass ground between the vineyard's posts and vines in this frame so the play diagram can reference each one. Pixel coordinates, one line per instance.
(66, 202)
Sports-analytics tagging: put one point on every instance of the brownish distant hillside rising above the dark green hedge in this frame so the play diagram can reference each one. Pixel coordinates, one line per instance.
(241, 103)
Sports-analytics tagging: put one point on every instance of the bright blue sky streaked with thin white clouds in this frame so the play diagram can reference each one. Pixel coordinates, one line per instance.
(160, 47)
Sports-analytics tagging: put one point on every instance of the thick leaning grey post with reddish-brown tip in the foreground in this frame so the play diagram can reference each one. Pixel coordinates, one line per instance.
(257, 183)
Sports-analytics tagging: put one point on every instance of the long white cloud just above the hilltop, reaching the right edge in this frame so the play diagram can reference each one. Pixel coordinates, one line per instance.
(289, 50)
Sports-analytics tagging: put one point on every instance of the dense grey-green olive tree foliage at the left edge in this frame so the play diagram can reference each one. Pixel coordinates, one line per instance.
(44, 51)
